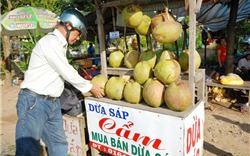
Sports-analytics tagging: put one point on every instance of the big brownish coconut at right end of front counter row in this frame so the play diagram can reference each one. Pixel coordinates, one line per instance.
(177, 96)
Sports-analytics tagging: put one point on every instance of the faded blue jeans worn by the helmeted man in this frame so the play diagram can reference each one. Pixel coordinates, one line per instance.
(39, 118)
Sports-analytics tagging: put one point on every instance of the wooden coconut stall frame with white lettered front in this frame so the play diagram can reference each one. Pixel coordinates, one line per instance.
(118, 127)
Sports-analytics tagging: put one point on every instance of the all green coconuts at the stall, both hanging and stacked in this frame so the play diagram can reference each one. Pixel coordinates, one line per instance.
(155, 79)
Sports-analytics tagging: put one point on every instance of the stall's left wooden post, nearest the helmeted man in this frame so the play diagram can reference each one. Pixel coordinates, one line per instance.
(101, 37)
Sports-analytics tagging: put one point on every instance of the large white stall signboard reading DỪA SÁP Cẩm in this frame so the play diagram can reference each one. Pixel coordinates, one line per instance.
(125, 131)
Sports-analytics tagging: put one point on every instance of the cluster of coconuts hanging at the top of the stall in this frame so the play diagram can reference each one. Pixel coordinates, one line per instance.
(164, 28)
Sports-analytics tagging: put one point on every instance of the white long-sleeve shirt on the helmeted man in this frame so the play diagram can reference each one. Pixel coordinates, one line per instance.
(49, 68)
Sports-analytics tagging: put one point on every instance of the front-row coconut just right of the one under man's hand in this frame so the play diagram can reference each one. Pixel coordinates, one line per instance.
(114, 88)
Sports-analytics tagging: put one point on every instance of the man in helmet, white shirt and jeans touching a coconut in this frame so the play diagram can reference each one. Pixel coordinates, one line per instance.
(38, 105)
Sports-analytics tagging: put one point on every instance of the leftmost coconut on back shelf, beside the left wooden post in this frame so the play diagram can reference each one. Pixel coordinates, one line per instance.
(116, 59)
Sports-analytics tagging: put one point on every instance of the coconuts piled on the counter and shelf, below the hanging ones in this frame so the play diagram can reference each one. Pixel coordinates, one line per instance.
(153, 82)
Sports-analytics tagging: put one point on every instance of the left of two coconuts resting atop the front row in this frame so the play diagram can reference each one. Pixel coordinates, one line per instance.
(142, 72)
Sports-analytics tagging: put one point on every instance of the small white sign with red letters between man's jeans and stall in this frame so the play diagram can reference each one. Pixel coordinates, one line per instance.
(73, 131)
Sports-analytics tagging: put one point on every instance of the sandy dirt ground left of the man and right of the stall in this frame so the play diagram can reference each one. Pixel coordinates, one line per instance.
(226, 131)
